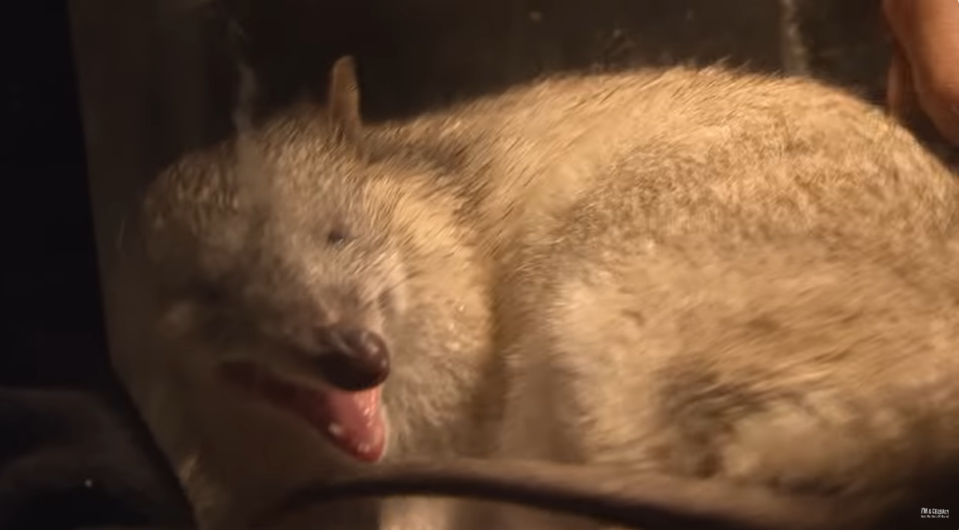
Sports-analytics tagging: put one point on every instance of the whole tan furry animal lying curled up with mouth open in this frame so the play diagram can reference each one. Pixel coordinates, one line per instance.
(692, 272)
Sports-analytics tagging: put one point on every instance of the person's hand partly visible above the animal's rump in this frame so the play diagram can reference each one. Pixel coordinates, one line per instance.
(924, 75)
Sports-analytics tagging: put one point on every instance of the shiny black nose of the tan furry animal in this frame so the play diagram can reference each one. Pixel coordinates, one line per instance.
(352, 359)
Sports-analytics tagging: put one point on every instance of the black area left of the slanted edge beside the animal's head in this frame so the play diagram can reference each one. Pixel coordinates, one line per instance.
(72, 453)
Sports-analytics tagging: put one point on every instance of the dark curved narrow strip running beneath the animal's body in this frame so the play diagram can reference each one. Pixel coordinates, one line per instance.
(647, 501)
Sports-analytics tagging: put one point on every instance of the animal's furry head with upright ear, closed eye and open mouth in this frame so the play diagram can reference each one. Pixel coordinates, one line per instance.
(309, 271)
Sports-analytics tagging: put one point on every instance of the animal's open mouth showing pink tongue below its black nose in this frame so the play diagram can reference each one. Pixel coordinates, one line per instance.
(351, 421)
